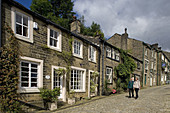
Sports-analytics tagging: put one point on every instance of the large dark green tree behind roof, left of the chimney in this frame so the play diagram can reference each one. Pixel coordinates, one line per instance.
(58, 11)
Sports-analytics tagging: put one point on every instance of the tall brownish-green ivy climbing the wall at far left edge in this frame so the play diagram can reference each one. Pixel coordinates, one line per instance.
(9, 73)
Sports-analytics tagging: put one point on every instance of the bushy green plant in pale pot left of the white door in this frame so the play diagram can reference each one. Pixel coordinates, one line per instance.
(50, 97)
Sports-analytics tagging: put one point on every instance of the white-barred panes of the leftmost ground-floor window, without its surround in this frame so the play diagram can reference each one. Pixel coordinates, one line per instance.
(29, 74)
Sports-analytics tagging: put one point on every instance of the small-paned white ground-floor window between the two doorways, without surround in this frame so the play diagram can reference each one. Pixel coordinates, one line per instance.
(77, 79)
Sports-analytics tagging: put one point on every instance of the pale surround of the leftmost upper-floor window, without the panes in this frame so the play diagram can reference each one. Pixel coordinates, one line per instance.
(30, 24)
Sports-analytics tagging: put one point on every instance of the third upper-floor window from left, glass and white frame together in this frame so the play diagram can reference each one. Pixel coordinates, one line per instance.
(77, 48)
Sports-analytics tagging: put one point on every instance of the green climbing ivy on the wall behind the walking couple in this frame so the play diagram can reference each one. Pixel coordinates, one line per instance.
(123, 70)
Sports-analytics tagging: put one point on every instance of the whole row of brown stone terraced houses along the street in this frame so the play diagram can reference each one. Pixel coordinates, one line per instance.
(41, 42)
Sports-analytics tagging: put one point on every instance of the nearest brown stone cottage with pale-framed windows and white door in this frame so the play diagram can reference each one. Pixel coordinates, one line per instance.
(45, 47)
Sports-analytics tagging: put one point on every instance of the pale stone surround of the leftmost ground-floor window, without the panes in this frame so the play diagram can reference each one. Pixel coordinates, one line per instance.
(39, 77)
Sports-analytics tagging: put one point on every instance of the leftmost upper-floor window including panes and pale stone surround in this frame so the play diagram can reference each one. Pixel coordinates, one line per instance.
(22, 24)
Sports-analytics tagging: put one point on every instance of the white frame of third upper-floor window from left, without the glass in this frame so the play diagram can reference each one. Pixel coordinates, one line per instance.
(81, 49)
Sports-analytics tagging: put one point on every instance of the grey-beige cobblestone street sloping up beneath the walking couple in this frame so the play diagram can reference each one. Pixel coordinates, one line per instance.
(151, 100)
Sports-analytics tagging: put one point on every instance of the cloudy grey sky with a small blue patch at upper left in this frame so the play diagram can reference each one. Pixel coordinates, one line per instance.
(145, 20)
